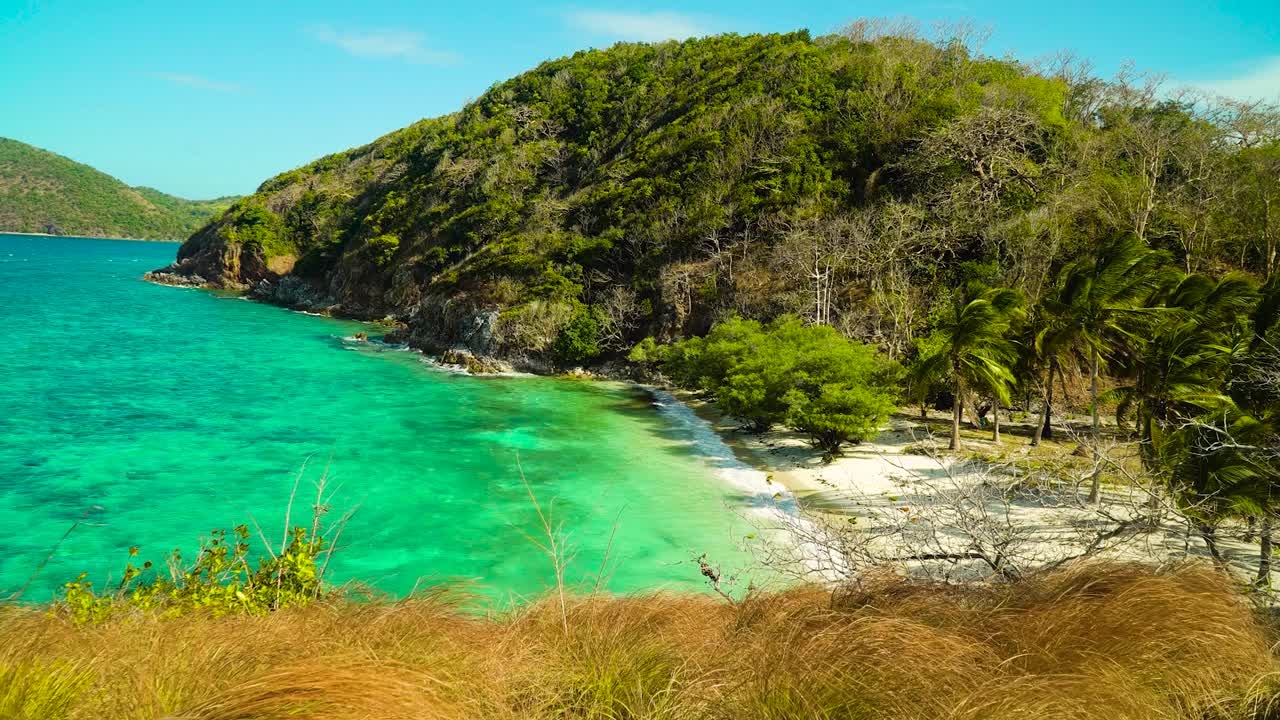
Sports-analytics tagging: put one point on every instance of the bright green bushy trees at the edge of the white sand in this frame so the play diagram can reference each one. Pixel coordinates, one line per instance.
(811, 377)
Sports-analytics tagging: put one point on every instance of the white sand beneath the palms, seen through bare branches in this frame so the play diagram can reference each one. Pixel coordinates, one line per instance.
(876, 480)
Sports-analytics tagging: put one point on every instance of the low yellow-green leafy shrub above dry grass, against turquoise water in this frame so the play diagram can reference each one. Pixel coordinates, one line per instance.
(223, 580)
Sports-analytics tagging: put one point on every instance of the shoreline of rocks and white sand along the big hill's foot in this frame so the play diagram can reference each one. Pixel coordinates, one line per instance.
(779, 472)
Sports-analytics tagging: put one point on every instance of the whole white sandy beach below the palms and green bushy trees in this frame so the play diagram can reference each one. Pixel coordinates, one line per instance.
(906, 481)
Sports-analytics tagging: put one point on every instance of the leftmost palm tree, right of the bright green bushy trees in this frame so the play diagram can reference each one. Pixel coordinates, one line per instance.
(973, 349)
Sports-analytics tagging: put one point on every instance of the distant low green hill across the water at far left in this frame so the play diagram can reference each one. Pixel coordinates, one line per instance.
(42, 192)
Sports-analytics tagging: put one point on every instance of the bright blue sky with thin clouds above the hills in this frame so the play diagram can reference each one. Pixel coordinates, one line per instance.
(212, 101)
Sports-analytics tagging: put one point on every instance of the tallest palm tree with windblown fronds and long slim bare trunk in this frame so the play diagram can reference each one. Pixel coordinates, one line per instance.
(1095, 308)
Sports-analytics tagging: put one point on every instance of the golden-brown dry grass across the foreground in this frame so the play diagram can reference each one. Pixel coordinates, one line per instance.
(1105, 641)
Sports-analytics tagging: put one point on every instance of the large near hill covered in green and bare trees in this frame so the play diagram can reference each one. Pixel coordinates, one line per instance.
(650, 190)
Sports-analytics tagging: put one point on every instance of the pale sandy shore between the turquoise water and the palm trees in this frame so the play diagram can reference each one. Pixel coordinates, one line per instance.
(876, 477)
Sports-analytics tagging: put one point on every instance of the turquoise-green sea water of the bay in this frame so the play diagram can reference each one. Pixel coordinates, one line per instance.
(134, 414)
